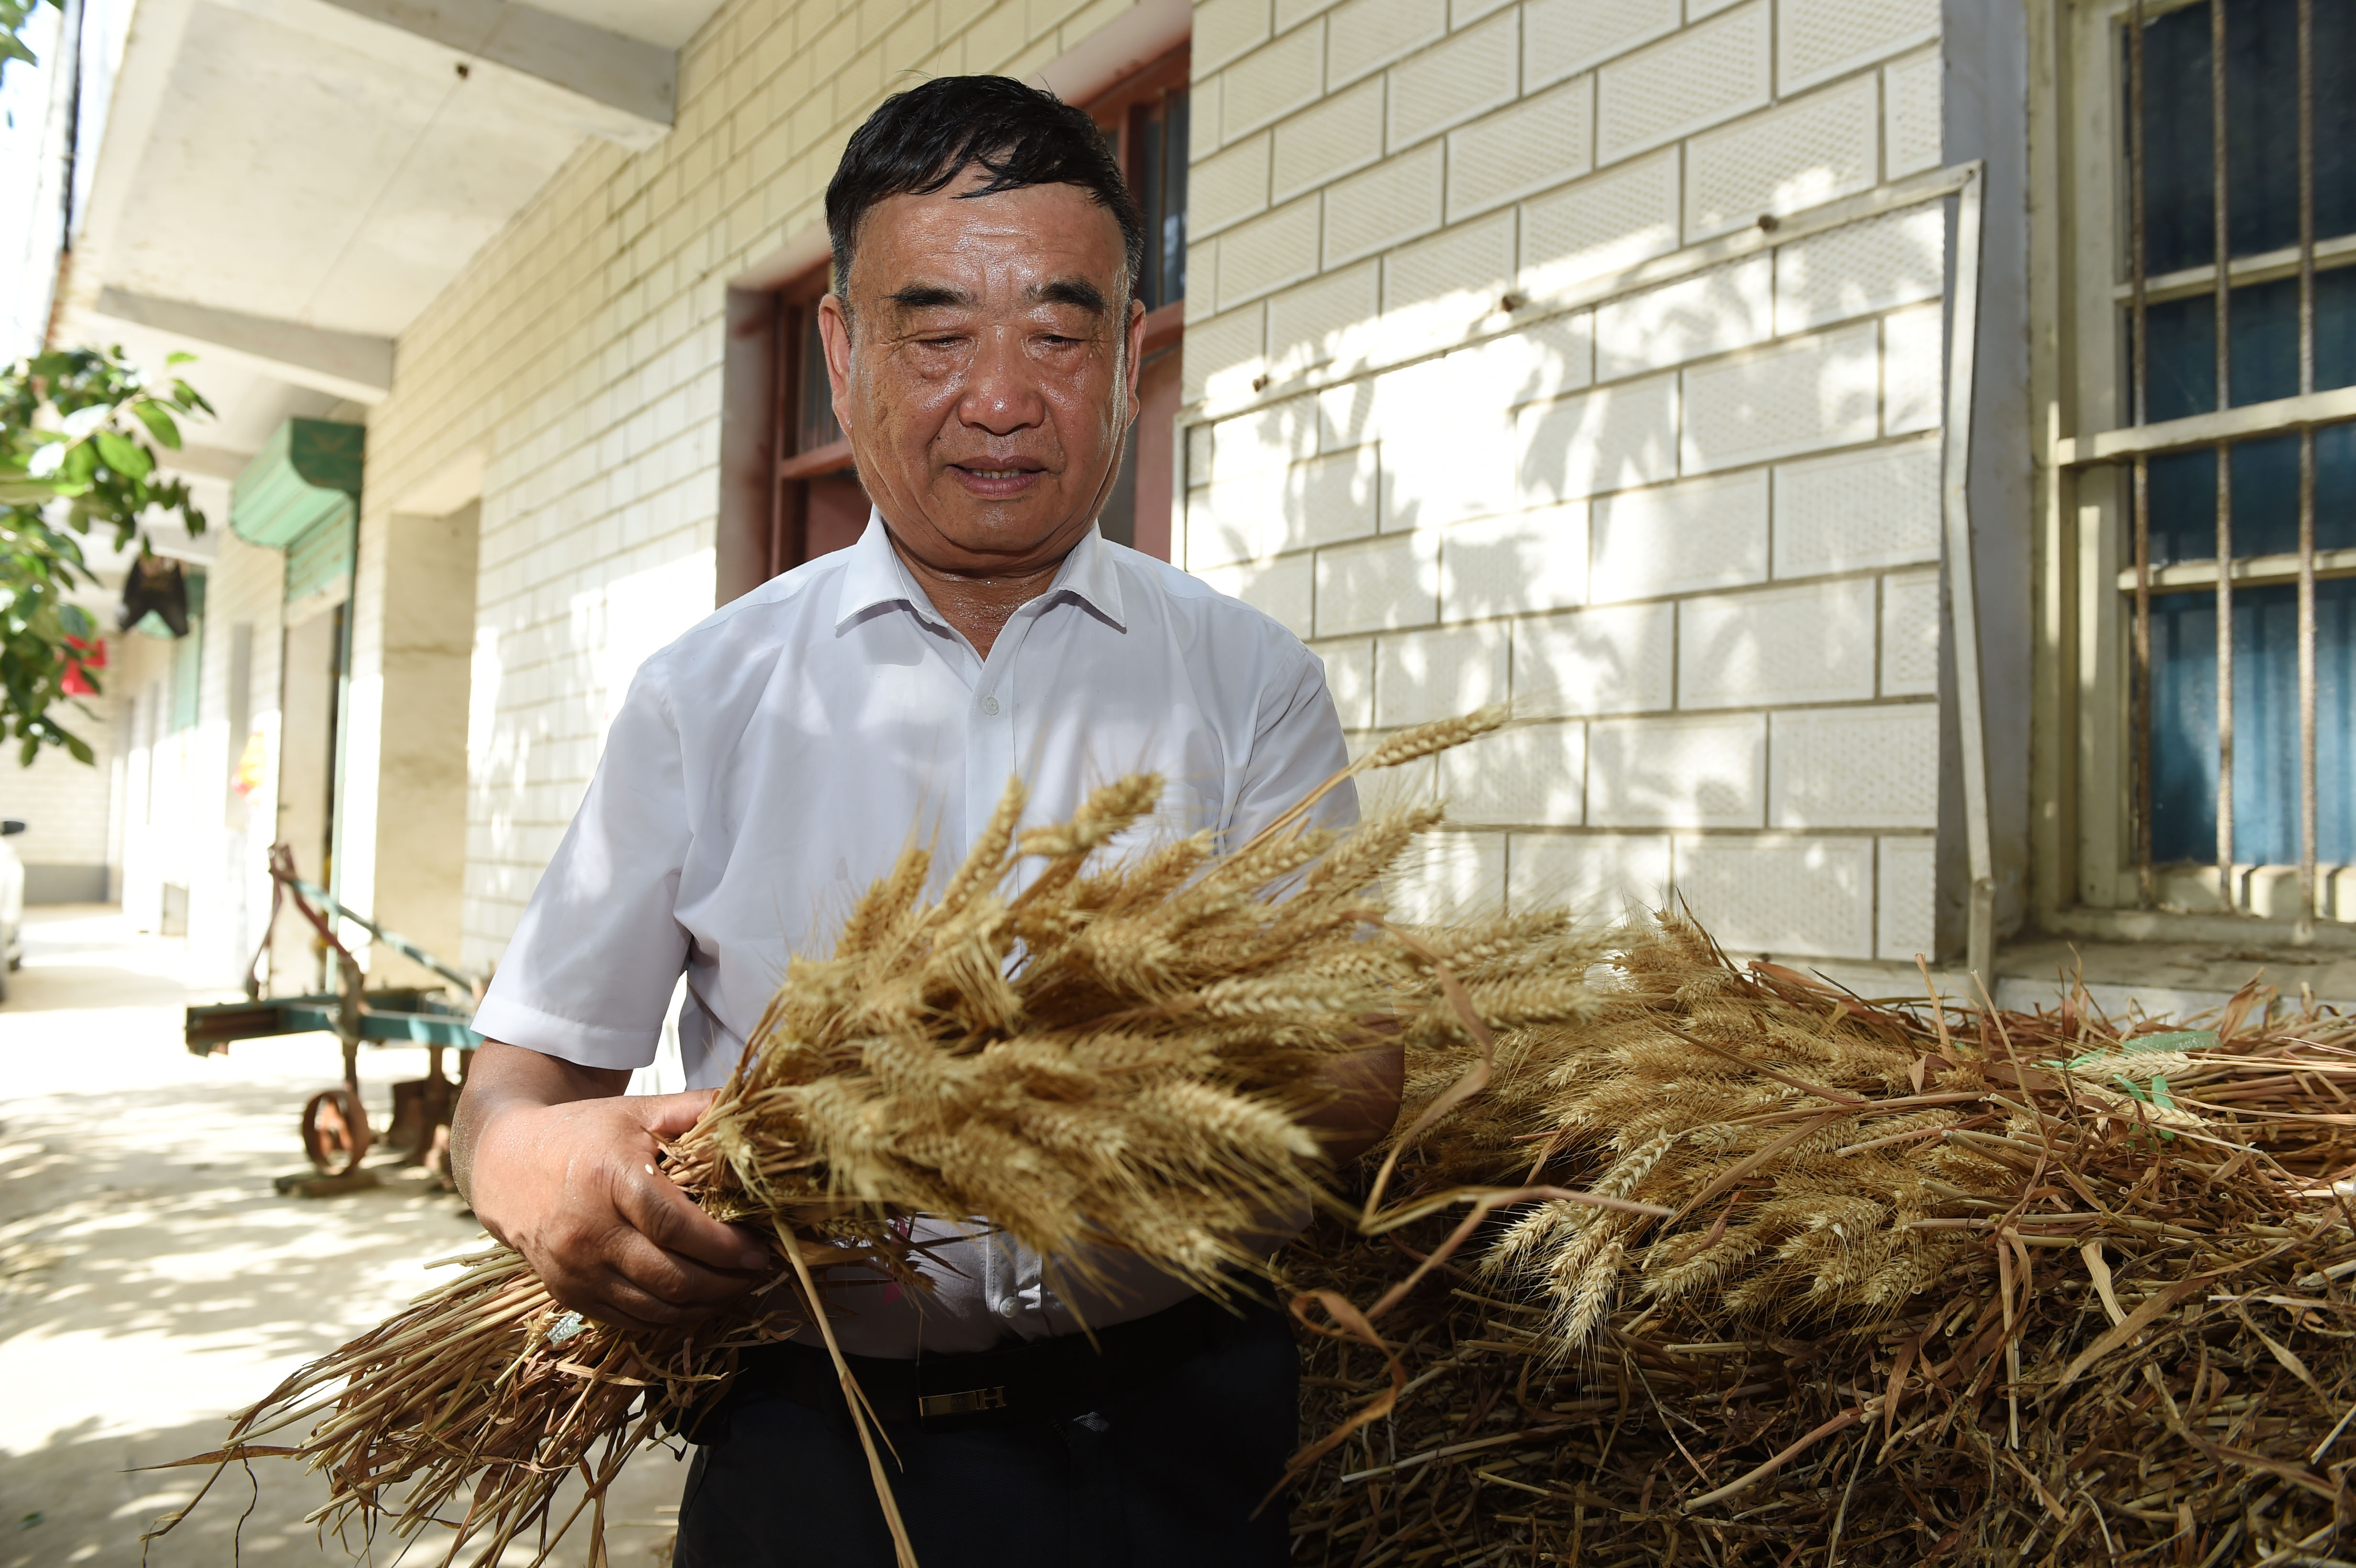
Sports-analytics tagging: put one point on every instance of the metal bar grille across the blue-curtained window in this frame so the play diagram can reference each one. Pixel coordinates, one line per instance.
(2230, 425)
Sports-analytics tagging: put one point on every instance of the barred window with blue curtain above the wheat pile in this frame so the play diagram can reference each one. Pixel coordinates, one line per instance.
(2216, 458)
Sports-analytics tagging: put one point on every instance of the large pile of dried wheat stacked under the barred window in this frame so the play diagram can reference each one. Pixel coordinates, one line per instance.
(1938, 1284)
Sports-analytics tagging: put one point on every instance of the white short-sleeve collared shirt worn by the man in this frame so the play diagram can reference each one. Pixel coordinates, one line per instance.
(776, 759)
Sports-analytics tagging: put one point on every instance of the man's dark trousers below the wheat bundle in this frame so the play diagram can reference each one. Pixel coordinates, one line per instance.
(1167, 1473)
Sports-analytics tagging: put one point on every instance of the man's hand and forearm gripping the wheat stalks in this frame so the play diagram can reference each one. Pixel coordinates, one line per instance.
(562, 1167)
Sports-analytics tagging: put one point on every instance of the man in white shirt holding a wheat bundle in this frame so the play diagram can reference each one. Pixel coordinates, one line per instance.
(984, 352)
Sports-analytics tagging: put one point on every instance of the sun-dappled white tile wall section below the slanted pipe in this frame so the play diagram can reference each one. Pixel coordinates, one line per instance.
(1596, 519)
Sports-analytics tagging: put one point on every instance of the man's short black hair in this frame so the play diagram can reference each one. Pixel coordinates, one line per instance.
(925, 138)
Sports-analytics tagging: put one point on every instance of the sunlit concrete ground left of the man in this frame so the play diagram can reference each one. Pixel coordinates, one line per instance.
(152, 1280)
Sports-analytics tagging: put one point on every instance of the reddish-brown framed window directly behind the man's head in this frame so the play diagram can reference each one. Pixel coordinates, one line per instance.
(816, 503)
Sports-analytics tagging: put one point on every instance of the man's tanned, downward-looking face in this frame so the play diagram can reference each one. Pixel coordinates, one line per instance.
(988, 371)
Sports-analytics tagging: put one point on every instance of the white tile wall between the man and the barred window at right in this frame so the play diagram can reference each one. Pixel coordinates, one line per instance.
(1674, 526)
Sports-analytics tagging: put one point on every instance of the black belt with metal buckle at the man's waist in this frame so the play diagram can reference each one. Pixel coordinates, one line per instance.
(1021, 1383)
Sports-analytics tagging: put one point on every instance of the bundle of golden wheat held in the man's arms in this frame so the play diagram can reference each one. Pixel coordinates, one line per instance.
(1097, 1058)
